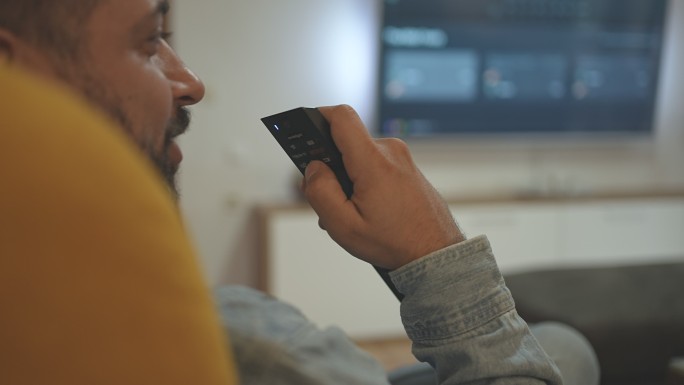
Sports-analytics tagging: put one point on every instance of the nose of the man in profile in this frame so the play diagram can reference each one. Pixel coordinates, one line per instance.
(186, 88)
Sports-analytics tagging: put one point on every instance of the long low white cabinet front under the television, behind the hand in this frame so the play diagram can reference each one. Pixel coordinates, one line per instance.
(301, 265)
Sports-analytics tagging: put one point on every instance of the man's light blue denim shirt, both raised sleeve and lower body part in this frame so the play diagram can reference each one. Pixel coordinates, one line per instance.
(457, 311)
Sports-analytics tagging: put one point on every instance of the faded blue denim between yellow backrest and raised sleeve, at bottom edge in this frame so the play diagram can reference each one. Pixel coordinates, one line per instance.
(275, 344)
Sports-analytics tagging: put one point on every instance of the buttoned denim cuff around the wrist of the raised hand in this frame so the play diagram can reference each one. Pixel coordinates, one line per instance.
(451, 291)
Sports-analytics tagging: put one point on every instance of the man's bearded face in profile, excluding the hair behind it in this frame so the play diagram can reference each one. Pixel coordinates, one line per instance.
(127, 69)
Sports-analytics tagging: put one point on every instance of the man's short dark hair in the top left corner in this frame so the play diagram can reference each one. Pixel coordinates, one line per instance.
(55, 26)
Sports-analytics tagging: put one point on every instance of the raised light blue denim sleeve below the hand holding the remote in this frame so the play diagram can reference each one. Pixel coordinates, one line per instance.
(462, 320)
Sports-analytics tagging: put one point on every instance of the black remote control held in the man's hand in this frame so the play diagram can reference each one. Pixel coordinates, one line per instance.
(304, 134)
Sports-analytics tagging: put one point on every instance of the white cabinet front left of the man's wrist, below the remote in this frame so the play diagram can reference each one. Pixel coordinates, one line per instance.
(310, 271)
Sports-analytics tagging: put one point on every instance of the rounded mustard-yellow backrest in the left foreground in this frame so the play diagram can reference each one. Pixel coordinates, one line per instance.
(99, 283)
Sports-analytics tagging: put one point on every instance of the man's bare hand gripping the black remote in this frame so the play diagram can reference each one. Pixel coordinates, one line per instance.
(394, 216)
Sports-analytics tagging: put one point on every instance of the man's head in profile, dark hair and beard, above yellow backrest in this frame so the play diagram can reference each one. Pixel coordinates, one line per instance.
(123, 65)
